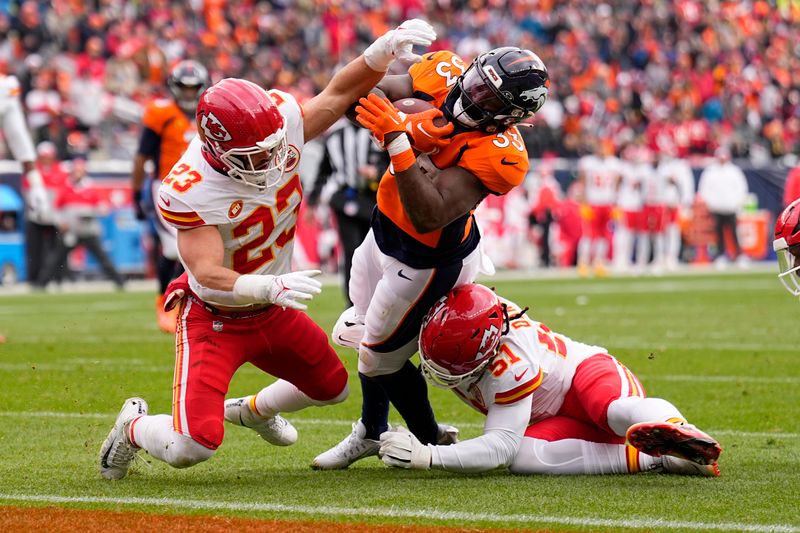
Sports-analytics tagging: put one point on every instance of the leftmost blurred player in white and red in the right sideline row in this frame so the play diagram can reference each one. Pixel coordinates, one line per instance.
(599, 175)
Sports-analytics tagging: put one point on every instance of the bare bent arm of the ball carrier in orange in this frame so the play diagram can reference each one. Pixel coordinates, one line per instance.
(433, 198)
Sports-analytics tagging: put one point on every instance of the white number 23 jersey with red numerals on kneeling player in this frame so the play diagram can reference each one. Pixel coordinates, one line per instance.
(257, 227)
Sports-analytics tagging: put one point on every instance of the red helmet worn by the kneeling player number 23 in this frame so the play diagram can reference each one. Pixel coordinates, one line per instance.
(243, 132)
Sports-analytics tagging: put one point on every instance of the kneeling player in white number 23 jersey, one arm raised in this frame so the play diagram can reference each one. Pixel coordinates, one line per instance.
(234, 197)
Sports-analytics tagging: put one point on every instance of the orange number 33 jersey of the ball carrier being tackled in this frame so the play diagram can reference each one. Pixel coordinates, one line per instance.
(498, 160)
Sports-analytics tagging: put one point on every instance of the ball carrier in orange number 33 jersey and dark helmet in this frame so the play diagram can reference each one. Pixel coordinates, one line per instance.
(424, 240)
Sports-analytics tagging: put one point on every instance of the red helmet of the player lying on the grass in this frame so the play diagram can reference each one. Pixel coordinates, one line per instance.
(460, 335)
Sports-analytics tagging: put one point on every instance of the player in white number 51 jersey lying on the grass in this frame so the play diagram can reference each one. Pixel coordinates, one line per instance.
(552, 405)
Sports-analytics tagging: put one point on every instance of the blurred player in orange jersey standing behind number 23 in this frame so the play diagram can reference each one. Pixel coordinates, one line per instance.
(168, 126)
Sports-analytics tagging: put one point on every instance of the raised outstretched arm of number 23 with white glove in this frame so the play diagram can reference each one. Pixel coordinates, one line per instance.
(359, 76)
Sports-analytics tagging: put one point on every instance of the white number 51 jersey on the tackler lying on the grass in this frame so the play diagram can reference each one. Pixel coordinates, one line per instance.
(526, 382)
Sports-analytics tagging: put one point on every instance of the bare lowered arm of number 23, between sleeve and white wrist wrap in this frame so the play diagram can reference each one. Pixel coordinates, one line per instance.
(202, 252)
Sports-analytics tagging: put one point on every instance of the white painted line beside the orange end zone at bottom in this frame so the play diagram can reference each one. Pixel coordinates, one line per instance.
(393, 512)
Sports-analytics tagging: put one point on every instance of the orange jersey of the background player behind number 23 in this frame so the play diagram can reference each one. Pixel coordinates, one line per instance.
(168, 132)
